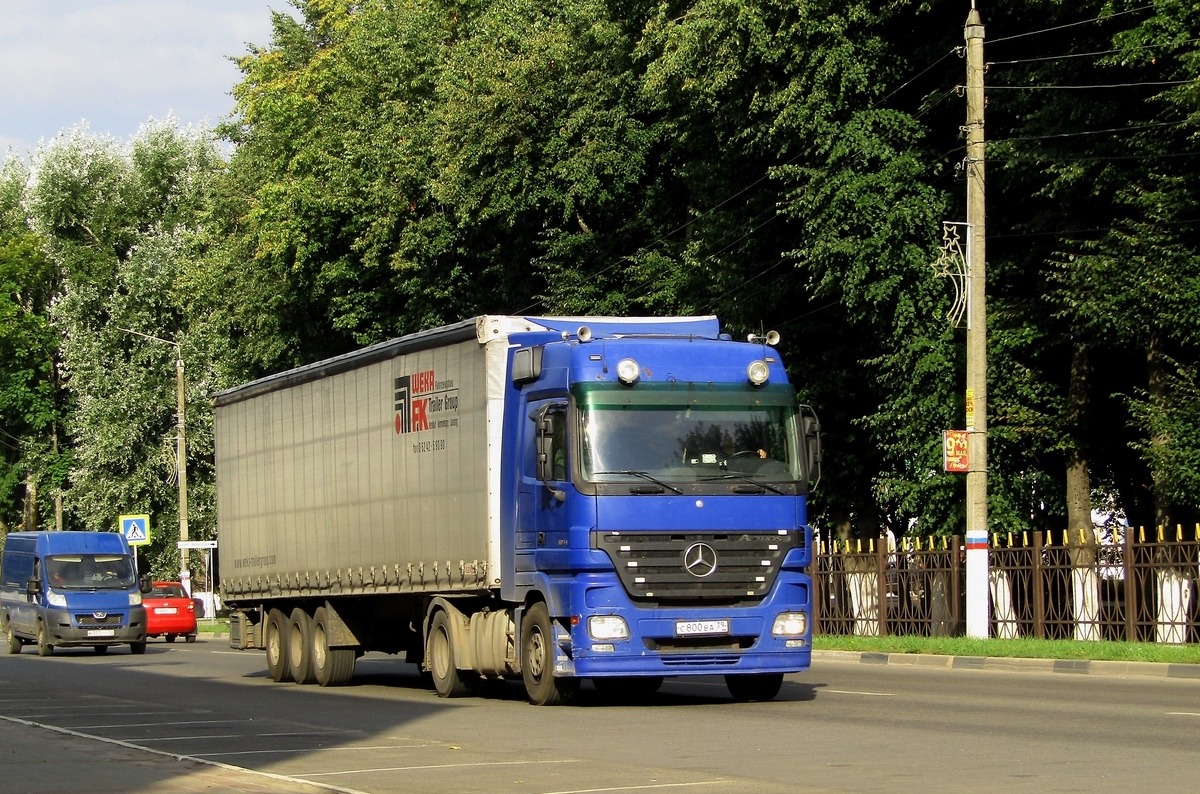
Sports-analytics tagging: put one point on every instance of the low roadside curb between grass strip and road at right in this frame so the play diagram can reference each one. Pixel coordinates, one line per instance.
(1073, 666)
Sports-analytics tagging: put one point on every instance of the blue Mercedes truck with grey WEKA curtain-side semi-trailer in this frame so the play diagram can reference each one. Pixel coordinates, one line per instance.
(616, 500)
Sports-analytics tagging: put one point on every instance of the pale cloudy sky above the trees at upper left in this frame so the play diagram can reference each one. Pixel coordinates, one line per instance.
(117, 64)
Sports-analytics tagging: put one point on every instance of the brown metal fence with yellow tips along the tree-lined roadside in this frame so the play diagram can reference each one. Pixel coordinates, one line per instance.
(1132, 586)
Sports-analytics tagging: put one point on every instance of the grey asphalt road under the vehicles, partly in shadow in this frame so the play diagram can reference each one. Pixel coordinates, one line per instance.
(202, 718)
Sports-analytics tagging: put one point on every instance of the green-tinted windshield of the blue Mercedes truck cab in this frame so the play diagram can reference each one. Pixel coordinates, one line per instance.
(677, 434)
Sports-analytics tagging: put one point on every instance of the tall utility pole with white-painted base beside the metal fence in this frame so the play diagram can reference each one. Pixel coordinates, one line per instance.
(977, 574)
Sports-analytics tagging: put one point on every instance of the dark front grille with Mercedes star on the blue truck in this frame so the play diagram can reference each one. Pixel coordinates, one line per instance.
(710, 568)
